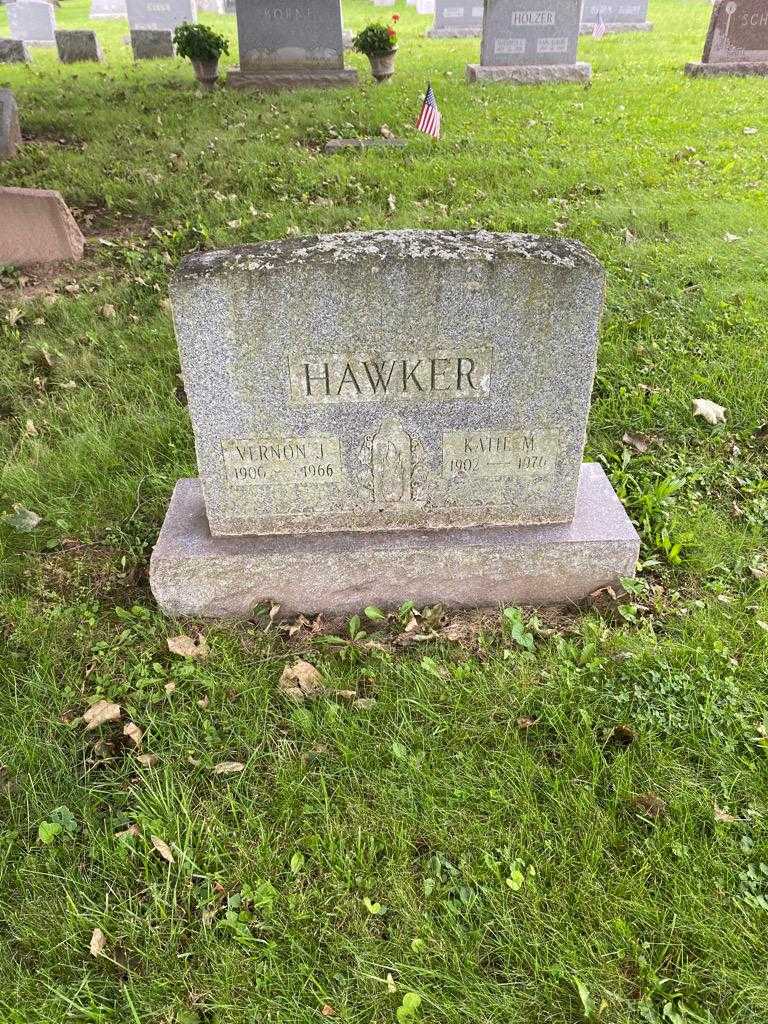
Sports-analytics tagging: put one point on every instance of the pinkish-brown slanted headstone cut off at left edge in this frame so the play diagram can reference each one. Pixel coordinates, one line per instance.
(36, 227)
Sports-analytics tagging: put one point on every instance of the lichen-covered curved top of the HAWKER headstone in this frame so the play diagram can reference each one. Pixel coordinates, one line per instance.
(382, 247)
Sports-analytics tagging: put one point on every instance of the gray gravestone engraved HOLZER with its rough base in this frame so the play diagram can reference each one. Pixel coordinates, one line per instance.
(530, 41)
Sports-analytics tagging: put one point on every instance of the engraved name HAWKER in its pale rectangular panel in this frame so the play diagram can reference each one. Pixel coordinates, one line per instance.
(438, 374)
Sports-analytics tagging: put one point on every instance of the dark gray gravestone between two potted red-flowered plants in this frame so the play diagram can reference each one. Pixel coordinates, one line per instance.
(290, 47)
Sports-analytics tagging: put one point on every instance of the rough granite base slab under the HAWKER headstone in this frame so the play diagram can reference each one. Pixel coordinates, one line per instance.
(194, 574)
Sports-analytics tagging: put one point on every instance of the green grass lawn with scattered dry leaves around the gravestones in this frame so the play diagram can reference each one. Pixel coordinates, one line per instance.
(530, 819)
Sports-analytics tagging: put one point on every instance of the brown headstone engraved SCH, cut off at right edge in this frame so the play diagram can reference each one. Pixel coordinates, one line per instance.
(737, 41)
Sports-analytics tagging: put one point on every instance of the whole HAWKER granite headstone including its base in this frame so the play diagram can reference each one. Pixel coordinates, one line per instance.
(390, 416)
